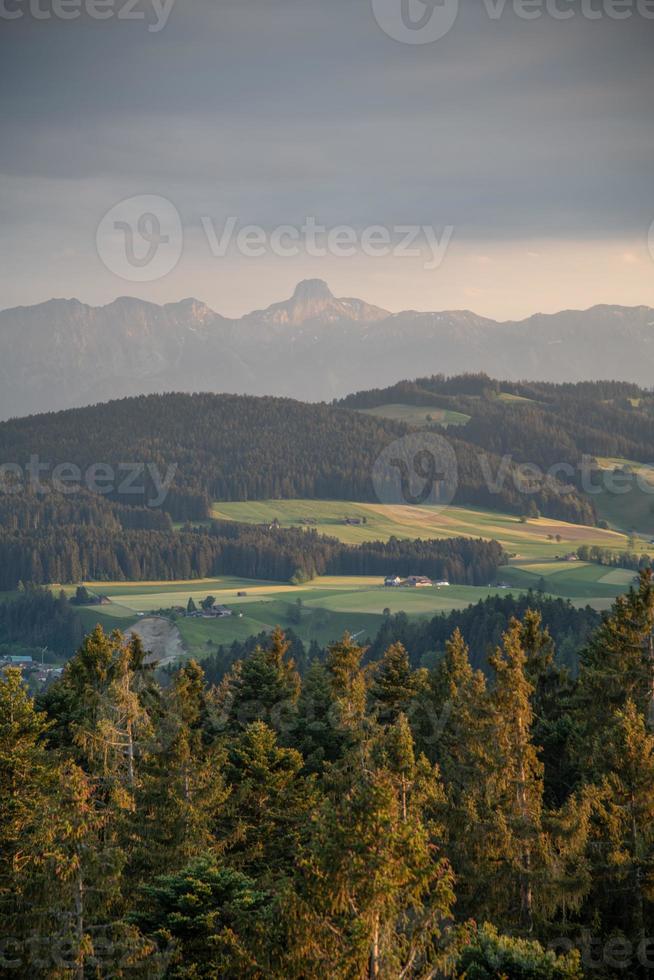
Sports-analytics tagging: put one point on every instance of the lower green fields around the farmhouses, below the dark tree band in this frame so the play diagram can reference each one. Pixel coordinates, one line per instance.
(325, 608)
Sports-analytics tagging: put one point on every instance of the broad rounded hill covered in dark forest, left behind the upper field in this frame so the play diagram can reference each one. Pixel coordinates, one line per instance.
(228, 447)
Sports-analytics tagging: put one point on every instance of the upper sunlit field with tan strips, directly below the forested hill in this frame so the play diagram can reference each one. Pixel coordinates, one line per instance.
(537, 538)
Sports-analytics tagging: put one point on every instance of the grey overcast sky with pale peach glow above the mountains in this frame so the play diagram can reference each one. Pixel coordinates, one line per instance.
(531, 140)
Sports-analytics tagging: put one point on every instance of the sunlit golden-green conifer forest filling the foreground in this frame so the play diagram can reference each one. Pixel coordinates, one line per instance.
(367, 820)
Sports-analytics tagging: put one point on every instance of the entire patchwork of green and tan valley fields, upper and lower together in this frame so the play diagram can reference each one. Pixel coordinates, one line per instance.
(323, 609)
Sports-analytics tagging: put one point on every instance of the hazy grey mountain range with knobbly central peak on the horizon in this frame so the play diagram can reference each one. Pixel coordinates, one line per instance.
(63, 354)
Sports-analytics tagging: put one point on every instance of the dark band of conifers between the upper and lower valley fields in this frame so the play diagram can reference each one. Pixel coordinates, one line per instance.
(88, 553)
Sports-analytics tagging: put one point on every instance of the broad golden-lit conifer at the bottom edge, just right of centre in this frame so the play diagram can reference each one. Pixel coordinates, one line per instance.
(375, 893)
